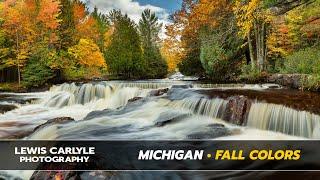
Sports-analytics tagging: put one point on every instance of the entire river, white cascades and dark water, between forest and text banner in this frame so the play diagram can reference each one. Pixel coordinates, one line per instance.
(162, 110)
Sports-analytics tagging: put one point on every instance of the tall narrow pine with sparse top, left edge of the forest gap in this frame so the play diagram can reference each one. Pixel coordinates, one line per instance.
(149, 29)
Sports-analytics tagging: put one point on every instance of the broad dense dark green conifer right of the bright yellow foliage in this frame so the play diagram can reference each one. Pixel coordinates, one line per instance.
(124, 53)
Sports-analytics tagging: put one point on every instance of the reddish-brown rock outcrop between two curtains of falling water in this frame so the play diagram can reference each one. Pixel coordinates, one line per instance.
(237, 109)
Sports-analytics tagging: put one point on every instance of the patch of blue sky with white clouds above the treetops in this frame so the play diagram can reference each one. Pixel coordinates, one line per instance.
(134, 8)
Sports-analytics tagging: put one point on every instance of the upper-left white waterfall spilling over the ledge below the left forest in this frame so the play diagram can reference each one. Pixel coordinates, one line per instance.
(113, 95)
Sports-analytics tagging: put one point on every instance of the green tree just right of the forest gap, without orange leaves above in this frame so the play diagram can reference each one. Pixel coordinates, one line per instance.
(220, 48)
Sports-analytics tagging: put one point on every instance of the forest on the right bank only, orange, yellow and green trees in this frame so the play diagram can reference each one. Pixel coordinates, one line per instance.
(247, 39)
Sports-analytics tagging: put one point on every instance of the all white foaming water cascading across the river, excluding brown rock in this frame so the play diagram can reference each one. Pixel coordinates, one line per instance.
(175, 110)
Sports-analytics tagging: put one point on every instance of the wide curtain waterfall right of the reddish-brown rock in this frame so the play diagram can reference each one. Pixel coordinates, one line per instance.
(283, 119)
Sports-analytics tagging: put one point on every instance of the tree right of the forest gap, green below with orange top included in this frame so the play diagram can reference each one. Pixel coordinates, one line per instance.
(220, 45)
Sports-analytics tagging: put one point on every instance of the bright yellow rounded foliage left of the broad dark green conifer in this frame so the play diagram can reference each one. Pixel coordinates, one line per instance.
(87, 53)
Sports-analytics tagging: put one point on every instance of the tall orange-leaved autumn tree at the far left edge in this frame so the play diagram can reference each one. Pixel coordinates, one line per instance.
(28, 22)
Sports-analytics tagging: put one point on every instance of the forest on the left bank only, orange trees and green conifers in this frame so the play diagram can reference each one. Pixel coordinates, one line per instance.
(60, 40)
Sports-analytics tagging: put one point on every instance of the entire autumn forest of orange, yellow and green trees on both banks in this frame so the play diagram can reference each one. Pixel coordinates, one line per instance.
(54, 41)
